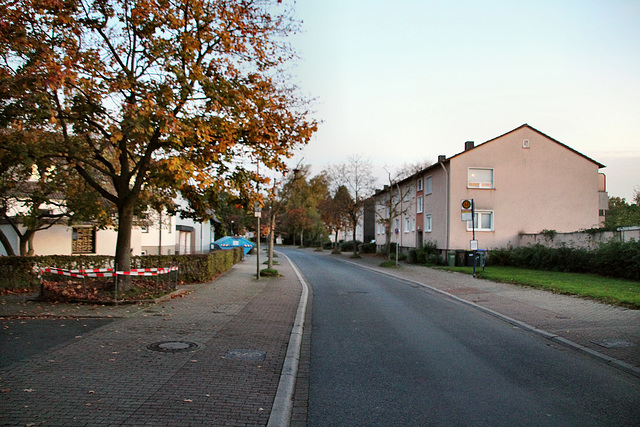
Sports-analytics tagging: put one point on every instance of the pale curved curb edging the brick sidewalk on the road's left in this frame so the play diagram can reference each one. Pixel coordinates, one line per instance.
(282, 407)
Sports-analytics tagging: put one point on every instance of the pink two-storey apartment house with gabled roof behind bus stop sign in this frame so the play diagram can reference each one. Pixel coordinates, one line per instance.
(521, 182)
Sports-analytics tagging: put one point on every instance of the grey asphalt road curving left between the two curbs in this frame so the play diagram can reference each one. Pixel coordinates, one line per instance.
(388, 352)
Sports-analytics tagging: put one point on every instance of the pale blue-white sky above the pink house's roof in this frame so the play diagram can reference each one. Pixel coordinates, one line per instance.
(402, 81)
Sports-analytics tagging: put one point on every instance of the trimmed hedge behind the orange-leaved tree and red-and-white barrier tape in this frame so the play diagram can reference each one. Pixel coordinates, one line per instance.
(22, 272)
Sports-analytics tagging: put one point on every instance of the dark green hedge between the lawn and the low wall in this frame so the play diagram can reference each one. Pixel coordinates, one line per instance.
(613, 259)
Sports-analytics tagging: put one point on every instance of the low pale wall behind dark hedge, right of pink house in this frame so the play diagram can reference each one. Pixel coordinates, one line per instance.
(580, 239)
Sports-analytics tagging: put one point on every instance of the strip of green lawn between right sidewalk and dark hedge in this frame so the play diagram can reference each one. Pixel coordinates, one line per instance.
(614, 291)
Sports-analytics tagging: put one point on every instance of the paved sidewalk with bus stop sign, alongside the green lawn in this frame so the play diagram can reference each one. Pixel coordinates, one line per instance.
(605, 331)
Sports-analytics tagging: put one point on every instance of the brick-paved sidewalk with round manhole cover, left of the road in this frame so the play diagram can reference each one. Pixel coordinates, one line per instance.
(218, 357)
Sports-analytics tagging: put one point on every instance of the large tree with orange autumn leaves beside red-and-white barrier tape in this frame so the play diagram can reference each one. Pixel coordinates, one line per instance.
(153, 97)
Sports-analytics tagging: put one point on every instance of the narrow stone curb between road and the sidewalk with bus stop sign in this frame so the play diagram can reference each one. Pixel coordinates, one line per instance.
(618, 364)
